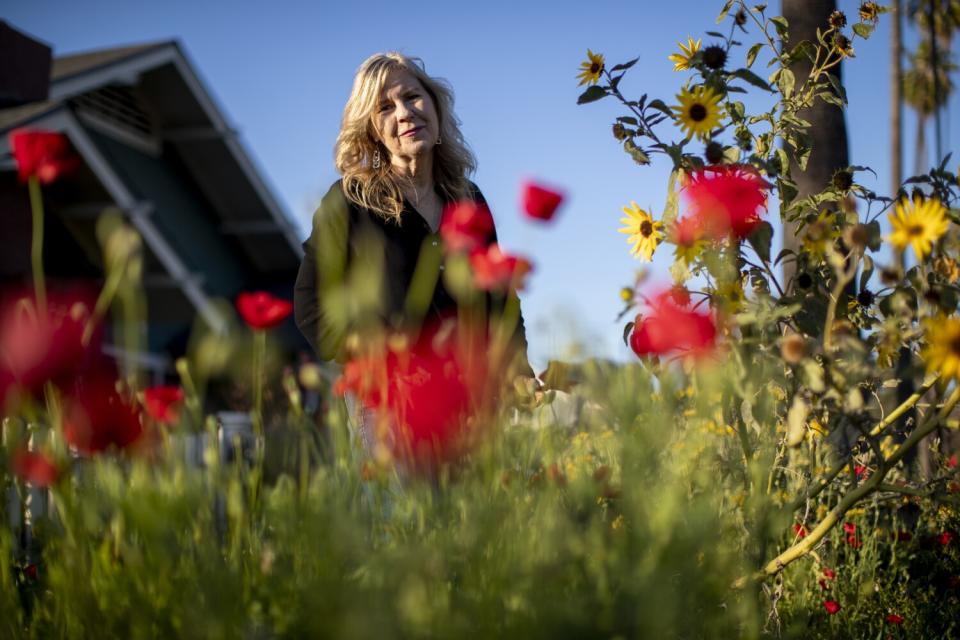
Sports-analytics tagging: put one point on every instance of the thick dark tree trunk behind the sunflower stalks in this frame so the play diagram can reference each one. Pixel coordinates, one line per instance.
(828, 129)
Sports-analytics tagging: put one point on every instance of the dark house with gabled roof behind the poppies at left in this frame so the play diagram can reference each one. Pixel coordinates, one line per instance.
(155, 146)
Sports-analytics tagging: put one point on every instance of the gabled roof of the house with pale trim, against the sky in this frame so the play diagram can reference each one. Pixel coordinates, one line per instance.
(155, 90)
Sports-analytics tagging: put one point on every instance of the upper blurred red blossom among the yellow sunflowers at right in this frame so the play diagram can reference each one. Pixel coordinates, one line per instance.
(726, 200)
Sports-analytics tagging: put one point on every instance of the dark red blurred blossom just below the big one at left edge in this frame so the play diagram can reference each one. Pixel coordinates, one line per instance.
(97, 416)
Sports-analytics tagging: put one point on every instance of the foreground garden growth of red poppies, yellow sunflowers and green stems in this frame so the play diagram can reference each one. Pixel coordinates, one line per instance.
(752, 472)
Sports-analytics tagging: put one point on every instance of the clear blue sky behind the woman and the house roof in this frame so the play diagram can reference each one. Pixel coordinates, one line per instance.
(282, 71)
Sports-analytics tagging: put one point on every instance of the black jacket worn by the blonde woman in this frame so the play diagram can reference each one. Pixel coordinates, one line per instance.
(357, 264)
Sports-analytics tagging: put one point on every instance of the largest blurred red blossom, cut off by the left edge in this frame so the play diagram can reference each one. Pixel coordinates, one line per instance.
(36, 349)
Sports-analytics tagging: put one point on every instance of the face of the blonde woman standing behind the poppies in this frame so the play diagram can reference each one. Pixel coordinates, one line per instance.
(405, 117)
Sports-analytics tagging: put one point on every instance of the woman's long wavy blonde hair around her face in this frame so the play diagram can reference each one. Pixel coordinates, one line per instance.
(378, 189)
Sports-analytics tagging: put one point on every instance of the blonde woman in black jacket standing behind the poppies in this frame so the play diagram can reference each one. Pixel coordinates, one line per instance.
(373, 256)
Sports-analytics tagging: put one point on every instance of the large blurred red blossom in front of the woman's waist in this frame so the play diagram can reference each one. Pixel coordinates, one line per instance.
(428, 392)
